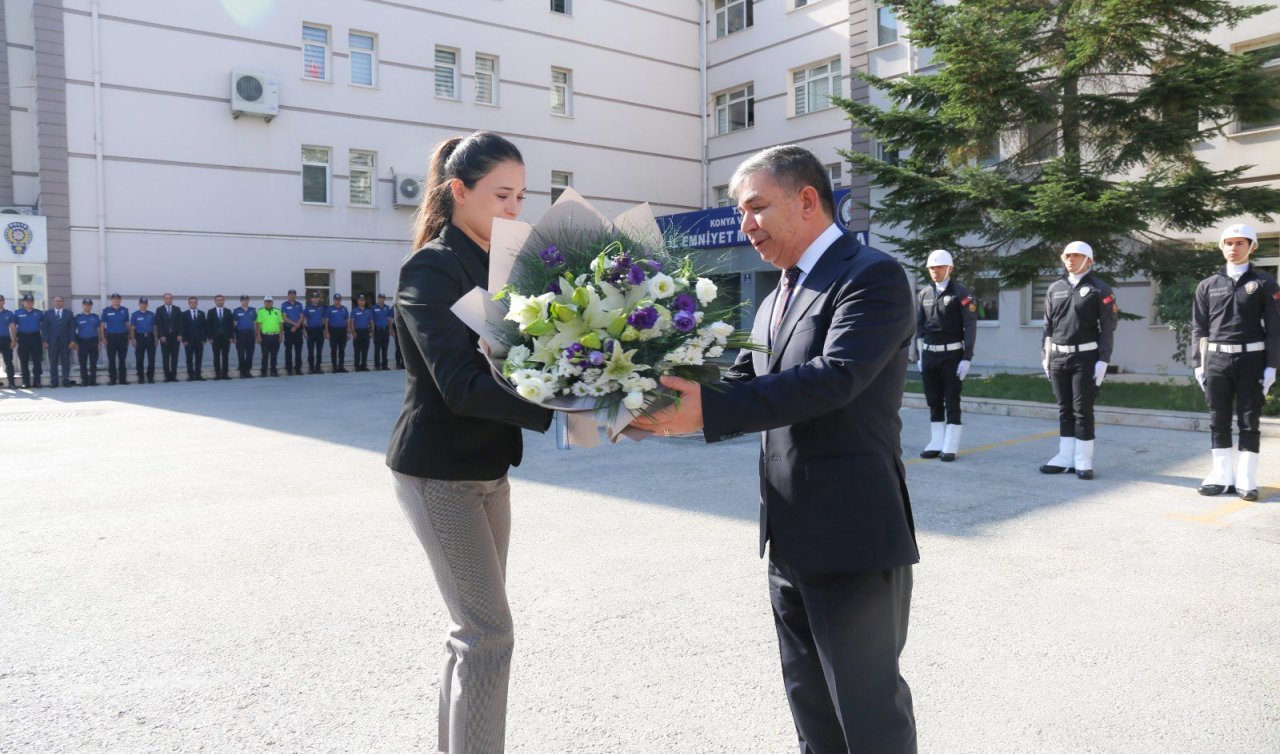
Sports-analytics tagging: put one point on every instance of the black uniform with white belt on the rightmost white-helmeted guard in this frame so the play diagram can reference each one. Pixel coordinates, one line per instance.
(1236, 332)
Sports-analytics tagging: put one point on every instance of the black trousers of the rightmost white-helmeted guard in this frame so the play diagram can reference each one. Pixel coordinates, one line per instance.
(1236, 380)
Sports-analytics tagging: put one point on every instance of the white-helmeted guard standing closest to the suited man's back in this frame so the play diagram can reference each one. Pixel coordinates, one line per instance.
(947, 327)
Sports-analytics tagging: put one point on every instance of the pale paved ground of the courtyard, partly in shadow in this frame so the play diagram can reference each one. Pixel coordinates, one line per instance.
(222, 568)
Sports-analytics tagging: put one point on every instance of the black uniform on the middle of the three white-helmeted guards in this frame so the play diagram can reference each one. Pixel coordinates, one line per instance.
(1080, 322)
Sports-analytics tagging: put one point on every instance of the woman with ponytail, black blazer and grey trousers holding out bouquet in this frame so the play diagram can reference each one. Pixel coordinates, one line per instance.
(460, 432)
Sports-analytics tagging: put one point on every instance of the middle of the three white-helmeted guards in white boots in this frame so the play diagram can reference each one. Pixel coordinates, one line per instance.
(1081, 316)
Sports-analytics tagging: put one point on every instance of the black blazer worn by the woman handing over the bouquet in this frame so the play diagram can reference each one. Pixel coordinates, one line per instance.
(458, 422)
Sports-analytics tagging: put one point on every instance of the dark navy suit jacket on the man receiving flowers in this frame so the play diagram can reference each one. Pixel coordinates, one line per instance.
(833, 485)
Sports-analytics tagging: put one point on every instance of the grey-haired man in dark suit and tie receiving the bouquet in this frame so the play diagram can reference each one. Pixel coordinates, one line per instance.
(834, 501)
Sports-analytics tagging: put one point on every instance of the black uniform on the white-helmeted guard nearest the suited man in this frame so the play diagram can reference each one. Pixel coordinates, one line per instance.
(948, 325)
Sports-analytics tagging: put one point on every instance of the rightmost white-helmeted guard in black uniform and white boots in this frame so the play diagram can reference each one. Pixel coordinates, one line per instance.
(1236, 331)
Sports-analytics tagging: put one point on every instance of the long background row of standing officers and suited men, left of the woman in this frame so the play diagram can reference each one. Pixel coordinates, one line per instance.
(116, 330)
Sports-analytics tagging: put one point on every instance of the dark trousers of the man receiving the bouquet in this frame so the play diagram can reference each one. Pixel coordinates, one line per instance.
(840, 637)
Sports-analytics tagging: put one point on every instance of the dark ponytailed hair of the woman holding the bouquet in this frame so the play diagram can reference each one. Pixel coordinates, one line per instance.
(469, 159)
